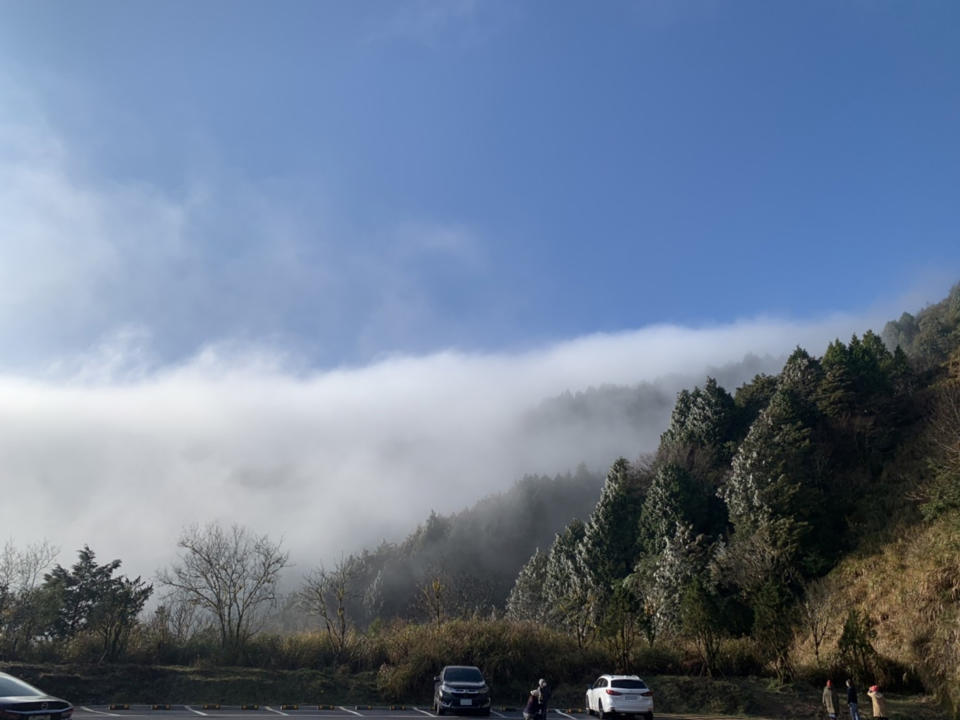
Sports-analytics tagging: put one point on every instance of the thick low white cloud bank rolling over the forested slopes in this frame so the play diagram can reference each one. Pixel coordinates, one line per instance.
(331, 461)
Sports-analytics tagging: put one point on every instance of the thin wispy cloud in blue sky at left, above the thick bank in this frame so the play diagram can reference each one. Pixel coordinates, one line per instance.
(84, 261)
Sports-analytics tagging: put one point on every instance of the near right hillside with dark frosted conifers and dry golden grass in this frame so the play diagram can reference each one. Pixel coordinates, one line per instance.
(803, 514)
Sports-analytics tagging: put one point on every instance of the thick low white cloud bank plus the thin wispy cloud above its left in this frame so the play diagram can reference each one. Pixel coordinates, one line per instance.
(119, 442)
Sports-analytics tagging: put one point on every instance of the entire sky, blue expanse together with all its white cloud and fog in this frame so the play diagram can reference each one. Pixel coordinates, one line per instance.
(261, 262)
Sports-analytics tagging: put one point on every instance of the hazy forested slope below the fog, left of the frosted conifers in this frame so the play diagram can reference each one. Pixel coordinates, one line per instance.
(466, 562)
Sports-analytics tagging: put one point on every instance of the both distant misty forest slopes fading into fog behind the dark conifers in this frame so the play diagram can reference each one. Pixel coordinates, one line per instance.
(475, 554)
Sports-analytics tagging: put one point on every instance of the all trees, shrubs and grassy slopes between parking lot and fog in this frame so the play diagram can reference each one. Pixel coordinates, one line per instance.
(803, 526)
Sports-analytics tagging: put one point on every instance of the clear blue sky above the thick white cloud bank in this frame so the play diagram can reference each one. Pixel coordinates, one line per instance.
(487, 175)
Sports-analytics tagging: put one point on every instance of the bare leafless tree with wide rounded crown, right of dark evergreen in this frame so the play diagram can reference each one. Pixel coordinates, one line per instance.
(231, 574)
